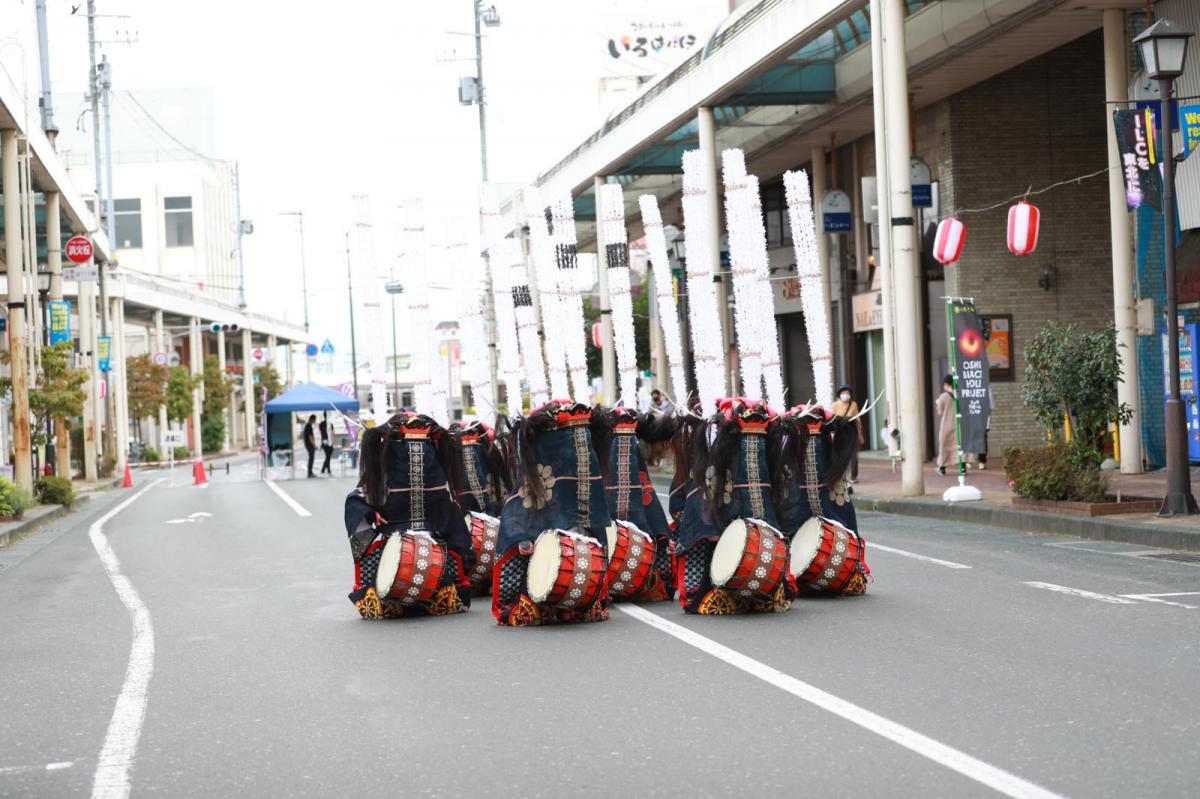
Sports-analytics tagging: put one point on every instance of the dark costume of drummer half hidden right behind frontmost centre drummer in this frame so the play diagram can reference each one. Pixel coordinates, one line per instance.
(632, 498)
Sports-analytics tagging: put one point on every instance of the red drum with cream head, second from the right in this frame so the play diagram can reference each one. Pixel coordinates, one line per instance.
(751, 558)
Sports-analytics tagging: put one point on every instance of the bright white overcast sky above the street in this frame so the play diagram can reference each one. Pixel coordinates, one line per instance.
(321, 101)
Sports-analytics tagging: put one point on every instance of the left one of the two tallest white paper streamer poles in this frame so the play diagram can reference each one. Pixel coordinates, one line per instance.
(703, 311)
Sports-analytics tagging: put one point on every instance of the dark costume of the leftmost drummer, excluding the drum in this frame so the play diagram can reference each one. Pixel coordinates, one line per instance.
(403, 466)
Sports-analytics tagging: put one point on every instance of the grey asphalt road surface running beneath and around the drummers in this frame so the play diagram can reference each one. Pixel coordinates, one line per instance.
(1000, 664)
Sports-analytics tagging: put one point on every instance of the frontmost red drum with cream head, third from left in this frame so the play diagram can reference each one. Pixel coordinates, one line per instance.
(567, 570)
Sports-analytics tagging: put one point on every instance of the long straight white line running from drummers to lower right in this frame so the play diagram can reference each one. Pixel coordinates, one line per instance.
(941, 754)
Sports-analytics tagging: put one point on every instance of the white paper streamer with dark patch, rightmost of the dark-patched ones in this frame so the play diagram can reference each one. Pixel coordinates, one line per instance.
(611, 215)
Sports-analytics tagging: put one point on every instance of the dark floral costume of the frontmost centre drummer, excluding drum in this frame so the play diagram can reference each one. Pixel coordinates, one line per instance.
(555, 443)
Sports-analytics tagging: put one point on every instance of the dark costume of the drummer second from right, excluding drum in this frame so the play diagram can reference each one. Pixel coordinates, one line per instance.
(737, 485)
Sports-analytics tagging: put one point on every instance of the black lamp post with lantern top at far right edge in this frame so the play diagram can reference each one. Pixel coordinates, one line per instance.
(1165, 50)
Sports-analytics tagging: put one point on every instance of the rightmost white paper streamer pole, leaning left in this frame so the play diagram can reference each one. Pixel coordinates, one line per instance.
(808, 268)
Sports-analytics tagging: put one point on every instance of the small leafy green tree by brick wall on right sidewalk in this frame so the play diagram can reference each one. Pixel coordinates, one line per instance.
(1077, 374)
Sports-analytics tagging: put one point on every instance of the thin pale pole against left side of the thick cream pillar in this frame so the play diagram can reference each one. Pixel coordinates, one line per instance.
(884, 205)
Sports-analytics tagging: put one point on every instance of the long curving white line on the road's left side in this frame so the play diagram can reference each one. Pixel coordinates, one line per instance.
(112, 779)
